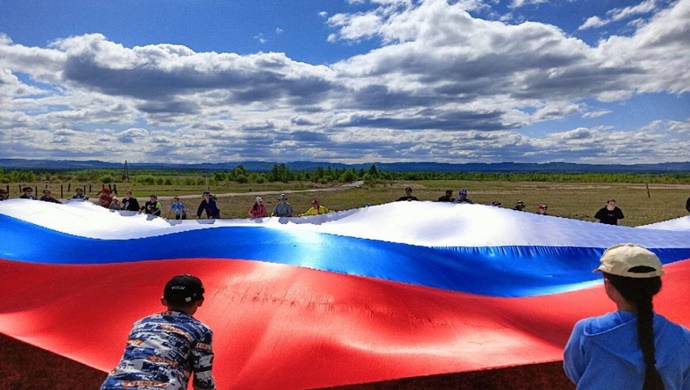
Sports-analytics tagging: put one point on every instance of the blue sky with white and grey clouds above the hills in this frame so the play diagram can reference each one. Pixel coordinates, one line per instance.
(586, 81)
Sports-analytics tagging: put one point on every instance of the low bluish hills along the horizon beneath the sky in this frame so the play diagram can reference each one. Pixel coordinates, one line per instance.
(263, 166)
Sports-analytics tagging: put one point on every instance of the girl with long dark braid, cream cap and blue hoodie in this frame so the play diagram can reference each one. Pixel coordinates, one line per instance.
(633, 347)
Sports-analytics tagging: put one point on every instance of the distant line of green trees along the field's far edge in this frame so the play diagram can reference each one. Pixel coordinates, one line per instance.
(323, 175)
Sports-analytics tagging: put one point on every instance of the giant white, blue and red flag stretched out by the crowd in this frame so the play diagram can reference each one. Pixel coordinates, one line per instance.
(398, 290)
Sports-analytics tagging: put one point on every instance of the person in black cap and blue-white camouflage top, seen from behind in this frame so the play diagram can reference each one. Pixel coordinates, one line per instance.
(164, 349)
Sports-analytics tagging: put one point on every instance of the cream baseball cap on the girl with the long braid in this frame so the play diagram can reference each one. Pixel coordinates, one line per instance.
(620, 259)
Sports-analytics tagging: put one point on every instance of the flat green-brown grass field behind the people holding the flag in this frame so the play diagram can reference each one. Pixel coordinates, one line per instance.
(641, 204)
